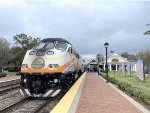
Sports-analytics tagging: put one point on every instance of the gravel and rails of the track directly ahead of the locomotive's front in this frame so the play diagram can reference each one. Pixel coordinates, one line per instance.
(27, 105)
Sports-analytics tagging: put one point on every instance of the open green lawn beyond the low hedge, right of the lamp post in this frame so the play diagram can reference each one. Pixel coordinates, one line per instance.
(133, 80)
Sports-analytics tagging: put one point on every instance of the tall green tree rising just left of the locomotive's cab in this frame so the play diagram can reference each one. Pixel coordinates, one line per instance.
(23, 43)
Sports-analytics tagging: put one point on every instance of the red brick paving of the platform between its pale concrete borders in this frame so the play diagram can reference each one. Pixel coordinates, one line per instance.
(99, 97)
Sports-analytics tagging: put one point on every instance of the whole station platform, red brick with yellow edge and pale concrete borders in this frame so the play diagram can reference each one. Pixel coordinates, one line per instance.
(91, 94)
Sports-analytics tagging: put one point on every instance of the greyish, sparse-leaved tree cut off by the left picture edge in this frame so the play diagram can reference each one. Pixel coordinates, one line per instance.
(5, 53)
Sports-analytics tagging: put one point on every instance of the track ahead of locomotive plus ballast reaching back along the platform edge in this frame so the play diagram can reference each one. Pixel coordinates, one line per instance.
(33, 105)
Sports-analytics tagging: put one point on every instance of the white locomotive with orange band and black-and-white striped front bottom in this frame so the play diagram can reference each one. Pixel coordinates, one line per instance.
(48, 67)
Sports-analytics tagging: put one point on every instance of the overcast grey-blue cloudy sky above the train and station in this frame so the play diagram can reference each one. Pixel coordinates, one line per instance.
(86, 24)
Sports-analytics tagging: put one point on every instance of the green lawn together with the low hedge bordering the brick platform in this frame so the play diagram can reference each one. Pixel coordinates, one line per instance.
(132, 85)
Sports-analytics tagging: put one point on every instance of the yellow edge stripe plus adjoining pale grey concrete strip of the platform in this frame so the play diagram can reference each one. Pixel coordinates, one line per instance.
(69, 102)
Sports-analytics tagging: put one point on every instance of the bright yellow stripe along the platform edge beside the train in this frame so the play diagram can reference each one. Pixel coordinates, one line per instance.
(65, 103)
